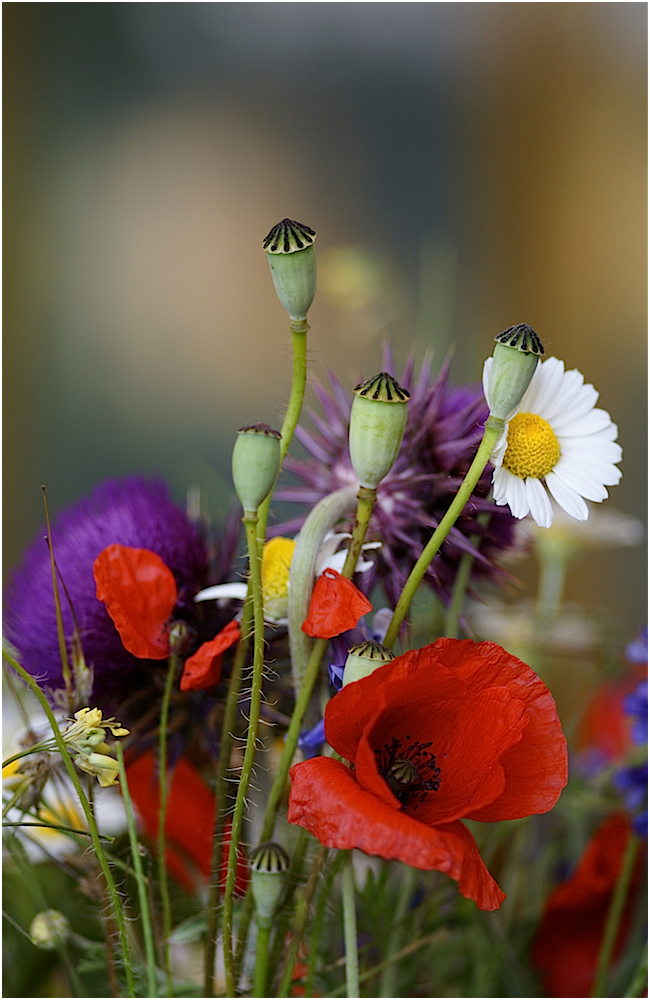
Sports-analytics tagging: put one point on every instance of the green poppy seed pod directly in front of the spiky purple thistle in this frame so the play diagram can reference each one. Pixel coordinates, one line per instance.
(377, 423)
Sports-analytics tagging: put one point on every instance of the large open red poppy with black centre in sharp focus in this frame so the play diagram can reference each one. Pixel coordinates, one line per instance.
(457, 730)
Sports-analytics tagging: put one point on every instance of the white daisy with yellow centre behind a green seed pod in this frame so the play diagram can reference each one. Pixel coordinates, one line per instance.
(556, 442)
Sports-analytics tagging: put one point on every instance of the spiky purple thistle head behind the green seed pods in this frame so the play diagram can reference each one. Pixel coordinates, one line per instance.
(443, 431)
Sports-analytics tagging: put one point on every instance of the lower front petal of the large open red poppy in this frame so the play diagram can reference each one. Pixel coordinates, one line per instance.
(326, 800)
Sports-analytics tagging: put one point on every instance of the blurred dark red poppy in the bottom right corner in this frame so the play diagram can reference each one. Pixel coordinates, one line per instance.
(567, 944)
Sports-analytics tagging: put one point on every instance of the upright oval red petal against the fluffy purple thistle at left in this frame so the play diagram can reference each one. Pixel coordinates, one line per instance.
(140, 593)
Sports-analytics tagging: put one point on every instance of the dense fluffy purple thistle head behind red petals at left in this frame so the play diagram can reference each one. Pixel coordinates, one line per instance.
(133, 511)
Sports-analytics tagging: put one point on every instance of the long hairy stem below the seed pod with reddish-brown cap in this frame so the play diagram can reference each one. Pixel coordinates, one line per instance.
(250, 523)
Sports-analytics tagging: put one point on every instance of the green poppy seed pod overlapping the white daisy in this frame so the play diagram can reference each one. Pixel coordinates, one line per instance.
(513, 365)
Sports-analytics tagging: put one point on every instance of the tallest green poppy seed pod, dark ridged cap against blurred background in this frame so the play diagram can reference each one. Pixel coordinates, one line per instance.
(292, 259)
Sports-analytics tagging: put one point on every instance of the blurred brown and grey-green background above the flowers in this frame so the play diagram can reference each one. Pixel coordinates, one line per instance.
(467, 166)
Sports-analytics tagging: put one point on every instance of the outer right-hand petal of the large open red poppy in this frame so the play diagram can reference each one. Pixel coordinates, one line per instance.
(536, 767)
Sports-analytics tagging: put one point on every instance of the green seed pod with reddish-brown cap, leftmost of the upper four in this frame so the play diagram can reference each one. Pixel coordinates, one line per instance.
(255, 464)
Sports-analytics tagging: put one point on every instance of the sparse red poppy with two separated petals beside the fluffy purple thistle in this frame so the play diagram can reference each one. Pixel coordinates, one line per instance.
(140, 594)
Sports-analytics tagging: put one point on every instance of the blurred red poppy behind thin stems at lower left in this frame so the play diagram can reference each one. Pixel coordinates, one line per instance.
(189, 820)
